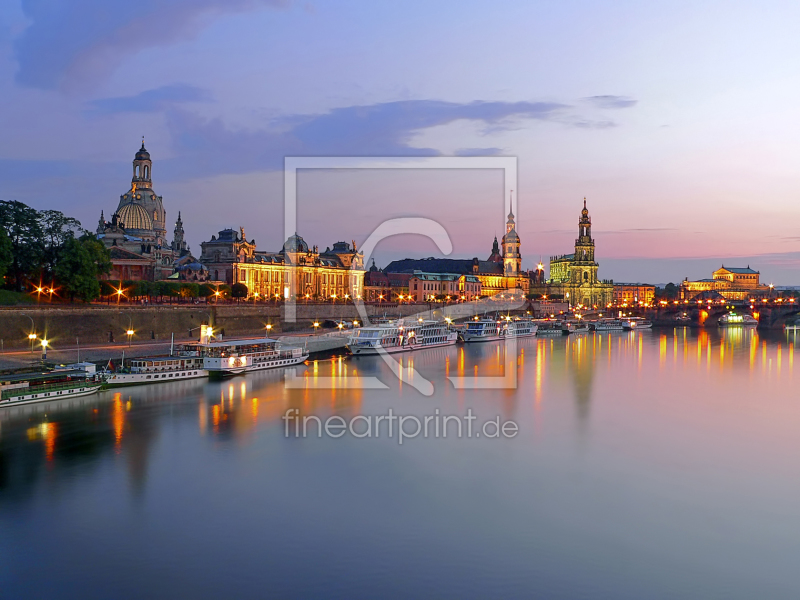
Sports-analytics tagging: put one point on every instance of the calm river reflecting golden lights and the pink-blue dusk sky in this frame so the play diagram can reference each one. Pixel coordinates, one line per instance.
(655, 464)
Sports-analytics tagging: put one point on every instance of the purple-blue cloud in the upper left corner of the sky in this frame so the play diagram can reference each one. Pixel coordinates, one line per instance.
(77, 43)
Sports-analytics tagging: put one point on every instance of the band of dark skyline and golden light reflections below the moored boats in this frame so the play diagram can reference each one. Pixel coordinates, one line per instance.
(82, 430)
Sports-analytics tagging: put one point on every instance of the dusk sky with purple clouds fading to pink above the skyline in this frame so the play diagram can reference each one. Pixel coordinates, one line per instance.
(677, 121)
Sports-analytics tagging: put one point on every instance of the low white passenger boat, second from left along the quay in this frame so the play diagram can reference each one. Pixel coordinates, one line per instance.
(186, 364)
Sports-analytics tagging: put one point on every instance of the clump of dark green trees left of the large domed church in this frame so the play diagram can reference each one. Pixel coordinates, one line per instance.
(47, 248)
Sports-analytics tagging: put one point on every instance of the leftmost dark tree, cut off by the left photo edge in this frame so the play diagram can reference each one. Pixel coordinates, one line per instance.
(21, 223)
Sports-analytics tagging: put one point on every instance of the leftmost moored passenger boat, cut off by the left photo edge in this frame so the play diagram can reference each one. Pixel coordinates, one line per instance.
(28, 388)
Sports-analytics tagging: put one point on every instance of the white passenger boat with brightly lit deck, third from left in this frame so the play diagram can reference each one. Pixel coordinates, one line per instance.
(233, 357)
